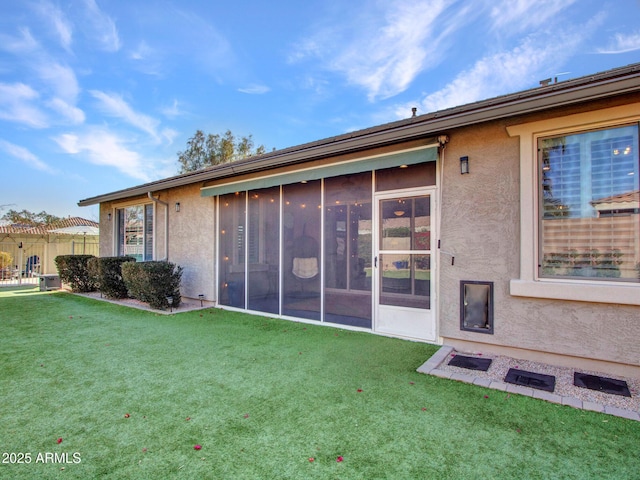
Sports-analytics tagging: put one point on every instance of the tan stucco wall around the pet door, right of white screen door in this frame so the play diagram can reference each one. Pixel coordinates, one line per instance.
(480, 226)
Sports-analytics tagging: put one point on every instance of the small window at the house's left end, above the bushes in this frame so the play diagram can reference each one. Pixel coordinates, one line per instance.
(135, 232)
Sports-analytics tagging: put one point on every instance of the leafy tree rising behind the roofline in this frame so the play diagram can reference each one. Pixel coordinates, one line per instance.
(213, 149)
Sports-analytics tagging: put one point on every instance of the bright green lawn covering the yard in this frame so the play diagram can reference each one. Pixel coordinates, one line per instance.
(131, 393)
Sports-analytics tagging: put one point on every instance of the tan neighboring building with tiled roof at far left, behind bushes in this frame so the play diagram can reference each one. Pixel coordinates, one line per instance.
(33, 249)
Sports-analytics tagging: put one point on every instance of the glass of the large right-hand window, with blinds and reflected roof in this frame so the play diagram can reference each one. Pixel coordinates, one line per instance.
(589, 205)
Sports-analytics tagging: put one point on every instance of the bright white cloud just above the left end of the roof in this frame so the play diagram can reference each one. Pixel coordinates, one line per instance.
(102, 147)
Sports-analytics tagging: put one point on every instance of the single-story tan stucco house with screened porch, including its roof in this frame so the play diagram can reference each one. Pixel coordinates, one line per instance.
(509, 225)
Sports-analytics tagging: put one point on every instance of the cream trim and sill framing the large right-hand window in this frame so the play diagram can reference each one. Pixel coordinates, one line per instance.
(529, 284)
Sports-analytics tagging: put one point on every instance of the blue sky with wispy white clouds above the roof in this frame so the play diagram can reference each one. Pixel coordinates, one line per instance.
(100, 95)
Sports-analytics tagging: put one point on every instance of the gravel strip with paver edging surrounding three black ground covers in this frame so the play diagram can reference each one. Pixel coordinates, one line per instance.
(565, 393)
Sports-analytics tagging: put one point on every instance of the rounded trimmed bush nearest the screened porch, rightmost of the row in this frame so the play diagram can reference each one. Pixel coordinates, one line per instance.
(153, 282)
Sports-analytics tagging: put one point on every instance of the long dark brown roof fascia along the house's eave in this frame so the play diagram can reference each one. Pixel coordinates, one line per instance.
(552, 96)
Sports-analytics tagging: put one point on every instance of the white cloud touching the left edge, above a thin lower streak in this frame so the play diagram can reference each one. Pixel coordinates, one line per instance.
(16, 105)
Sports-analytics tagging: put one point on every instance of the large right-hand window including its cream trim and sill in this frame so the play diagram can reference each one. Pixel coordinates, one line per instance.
(593, 190)
